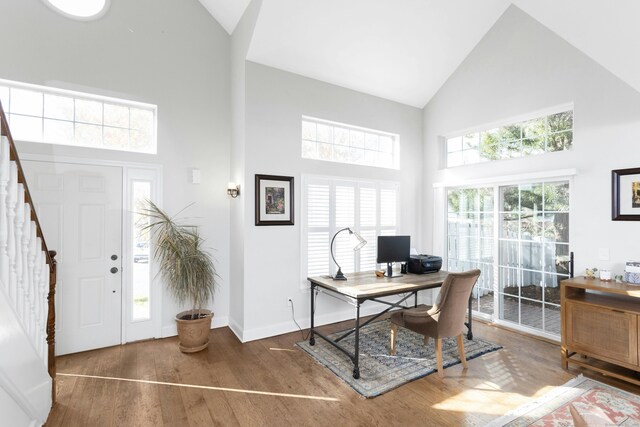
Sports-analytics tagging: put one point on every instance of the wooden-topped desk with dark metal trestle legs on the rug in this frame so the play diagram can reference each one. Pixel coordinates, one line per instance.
(366, 286)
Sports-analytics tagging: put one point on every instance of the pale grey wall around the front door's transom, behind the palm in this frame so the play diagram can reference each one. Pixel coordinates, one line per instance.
(164, 52)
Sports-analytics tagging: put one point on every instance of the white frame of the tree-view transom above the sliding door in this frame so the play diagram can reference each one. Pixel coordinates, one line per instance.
(505, 122)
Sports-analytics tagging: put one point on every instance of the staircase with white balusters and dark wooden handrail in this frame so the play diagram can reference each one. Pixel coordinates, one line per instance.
(27, 289)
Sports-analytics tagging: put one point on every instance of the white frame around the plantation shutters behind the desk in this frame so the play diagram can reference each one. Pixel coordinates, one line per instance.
(358, 184)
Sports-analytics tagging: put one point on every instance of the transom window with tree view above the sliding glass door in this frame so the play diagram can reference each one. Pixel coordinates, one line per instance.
(553, 132)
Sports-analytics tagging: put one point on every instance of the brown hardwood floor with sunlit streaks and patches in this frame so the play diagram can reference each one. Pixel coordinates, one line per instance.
(271, 382)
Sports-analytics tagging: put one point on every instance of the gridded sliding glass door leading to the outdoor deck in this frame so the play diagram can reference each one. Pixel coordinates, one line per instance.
(528, 230)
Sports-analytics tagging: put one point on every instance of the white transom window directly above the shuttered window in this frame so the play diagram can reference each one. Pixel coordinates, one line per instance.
(337, 142)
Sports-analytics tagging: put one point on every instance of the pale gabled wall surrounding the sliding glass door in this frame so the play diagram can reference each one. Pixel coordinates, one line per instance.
(519, 67)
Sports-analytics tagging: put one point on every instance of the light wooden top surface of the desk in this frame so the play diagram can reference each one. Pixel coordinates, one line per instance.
(367, 285)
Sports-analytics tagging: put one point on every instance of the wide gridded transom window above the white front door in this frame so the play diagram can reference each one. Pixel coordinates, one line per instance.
(55, 116)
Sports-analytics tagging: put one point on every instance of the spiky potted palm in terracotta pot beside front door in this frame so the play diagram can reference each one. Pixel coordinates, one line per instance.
(188, 272)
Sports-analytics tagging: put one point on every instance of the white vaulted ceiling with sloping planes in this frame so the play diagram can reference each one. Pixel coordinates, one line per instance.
(405, 50)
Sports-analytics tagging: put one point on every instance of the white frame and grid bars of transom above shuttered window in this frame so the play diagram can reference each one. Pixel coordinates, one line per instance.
(378, 153)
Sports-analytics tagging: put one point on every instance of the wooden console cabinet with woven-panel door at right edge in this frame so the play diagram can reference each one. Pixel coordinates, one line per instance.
(600, 321)
